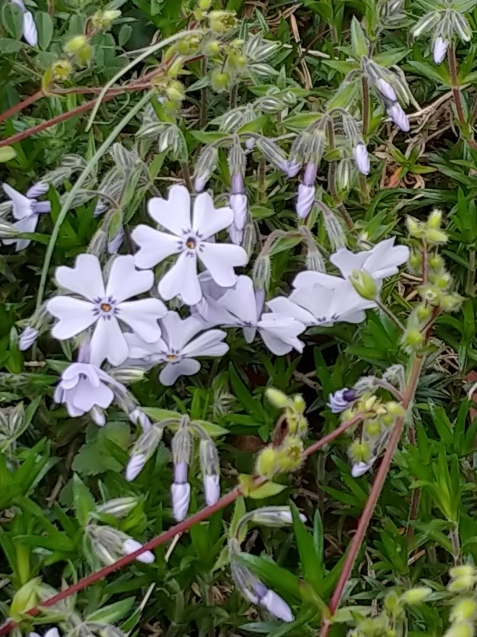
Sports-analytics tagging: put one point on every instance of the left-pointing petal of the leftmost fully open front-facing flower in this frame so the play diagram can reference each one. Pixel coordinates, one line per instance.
(74, 316)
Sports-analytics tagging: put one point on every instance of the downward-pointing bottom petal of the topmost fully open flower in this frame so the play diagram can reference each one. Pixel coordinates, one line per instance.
(182, 280)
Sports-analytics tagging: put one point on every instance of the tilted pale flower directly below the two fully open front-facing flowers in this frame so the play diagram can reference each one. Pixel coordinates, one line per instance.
(180, 345)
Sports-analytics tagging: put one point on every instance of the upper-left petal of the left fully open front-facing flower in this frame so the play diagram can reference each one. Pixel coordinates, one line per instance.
(85, 279)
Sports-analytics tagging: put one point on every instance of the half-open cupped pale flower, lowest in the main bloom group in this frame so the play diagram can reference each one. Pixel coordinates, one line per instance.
(84, 386)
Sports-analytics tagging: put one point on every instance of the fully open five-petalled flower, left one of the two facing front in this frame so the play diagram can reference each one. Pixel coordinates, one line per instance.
(105, 305)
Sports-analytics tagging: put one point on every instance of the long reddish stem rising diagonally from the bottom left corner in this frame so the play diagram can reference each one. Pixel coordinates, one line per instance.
(182, 527)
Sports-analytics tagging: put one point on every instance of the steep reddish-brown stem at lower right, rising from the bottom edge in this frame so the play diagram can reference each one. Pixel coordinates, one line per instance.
(376, 489)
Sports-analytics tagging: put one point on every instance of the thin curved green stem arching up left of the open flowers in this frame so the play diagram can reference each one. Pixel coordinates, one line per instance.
(79, 182)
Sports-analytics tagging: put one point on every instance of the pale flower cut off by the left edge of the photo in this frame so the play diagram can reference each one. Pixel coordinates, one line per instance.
(26, 210)
